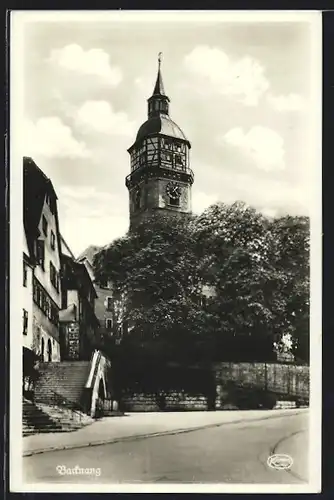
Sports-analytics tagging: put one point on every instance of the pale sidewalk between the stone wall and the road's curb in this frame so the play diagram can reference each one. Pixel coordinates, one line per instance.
(138, 425)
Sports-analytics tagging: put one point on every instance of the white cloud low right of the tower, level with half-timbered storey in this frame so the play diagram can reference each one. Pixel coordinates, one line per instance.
(261, 144)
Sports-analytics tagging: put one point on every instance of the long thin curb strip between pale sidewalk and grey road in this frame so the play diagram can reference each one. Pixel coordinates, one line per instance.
(137, 437)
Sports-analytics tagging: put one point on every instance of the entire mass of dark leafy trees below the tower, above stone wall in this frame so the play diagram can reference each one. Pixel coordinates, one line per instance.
(225, 285)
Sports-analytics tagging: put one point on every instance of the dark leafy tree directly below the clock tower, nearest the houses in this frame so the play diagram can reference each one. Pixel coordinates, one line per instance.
(155, 269)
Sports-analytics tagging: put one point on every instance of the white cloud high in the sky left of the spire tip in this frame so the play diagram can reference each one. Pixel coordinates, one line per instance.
(90, 62)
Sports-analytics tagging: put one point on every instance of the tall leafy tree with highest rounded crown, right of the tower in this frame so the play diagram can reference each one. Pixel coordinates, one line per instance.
(233, 242)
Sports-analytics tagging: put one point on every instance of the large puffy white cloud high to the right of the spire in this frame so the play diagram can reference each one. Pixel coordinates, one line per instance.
(243, 79)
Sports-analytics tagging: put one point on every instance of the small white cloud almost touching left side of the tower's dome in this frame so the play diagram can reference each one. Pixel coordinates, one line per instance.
(100, 116)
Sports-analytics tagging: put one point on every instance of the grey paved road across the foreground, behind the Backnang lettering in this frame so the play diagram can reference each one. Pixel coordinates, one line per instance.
(232, 453)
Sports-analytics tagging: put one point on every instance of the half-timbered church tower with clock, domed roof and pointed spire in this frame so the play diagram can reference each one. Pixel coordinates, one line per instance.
(160, 178)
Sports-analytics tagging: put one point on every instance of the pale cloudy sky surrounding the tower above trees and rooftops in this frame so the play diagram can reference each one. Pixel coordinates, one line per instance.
(240, 91)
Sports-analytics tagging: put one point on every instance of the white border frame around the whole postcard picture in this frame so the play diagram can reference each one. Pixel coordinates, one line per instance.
(18, 19)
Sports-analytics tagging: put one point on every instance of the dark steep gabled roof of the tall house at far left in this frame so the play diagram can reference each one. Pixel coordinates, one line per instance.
(35, 186)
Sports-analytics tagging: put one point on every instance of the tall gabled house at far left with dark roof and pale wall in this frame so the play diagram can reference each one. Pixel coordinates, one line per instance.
(42, 238)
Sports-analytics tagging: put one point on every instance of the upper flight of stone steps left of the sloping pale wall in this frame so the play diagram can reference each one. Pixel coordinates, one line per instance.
(66, 379)
